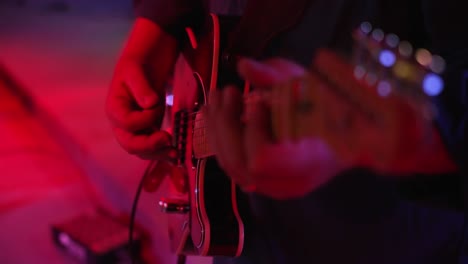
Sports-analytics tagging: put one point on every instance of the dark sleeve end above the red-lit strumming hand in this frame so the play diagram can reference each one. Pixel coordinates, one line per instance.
(173, 15)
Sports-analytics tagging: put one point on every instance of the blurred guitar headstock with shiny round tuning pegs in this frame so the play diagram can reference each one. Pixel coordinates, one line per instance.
(394, 66)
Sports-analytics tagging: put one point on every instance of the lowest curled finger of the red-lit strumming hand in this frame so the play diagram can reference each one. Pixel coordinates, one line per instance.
(143, 144)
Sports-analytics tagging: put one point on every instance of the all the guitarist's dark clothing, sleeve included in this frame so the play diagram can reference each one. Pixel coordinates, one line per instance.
(357, 217)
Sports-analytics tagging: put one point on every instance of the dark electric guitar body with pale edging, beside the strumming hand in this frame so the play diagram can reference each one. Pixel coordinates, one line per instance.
(212, 225)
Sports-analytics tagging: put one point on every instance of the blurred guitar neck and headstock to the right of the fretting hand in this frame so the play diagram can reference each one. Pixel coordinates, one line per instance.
(373, 108)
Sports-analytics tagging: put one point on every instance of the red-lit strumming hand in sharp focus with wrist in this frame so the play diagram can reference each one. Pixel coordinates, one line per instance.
(135, 105)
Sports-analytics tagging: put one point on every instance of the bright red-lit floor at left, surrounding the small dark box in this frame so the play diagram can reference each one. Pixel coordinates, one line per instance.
(58, 156)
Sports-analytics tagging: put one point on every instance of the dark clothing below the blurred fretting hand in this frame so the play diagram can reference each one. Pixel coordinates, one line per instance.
(362, 225)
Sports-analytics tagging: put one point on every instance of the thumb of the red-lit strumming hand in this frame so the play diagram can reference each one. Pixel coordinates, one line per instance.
(140, 88)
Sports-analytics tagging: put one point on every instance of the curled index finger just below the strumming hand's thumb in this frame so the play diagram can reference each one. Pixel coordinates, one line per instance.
(123, 113)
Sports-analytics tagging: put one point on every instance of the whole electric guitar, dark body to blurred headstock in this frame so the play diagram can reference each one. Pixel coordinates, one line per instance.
(359, 106)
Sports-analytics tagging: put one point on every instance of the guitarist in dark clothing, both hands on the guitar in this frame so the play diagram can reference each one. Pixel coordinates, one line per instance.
(308, 206)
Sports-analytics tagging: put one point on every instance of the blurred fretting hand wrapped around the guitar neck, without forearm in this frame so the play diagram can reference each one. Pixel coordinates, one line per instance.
(247, 151)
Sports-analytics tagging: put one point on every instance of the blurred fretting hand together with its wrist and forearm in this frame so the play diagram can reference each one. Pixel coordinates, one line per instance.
(283, 168)
